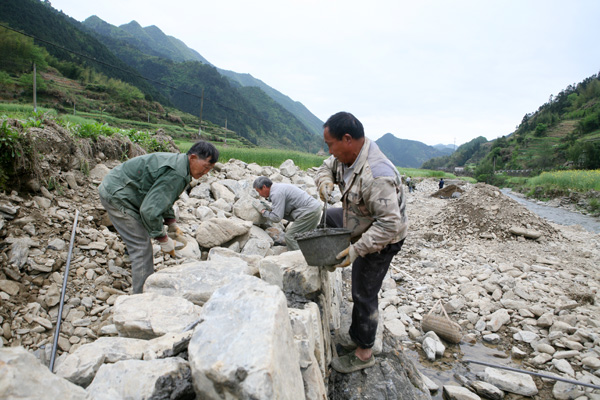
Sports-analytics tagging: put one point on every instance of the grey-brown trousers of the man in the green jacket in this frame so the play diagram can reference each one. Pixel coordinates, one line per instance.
(137, 240)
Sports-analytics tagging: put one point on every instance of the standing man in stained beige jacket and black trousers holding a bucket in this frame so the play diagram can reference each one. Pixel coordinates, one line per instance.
(374, 209)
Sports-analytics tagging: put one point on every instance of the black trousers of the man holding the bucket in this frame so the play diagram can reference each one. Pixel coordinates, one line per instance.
(367, 277)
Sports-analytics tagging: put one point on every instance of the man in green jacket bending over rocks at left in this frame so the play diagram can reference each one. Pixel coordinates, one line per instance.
(139, 194)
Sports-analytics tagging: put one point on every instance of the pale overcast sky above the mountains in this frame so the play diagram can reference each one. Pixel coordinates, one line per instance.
(437, 71)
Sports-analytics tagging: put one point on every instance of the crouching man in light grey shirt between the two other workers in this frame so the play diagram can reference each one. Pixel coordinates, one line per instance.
(288, 202)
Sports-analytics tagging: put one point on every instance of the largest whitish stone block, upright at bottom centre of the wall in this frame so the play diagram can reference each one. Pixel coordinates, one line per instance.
(244, 348)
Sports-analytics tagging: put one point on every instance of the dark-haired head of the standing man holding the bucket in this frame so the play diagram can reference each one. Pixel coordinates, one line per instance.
(344, 135)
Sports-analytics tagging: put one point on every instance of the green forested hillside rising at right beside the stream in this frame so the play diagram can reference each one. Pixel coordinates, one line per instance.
(563, 133)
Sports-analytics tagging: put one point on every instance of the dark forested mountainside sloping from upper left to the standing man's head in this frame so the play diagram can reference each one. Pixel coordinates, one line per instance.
(192, 86)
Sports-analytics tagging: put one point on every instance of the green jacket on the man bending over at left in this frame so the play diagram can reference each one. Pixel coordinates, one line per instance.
(146, 187)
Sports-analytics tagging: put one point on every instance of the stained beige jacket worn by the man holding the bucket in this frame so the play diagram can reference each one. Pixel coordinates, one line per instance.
(373, 198)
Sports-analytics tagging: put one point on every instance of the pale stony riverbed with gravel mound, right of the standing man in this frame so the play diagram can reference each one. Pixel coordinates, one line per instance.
(533, 304)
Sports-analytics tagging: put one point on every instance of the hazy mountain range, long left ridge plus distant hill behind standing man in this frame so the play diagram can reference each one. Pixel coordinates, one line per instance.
(166, 70)
